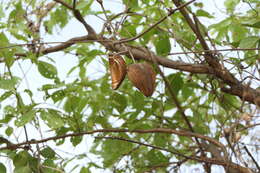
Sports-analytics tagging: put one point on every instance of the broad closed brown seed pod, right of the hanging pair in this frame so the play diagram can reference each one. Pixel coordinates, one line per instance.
(143, 77)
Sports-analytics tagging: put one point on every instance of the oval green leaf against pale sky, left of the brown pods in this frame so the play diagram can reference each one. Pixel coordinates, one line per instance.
(47, 70)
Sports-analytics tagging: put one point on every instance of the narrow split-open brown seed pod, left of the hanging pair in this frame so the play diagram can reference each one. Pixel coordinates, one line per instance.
(117, 68)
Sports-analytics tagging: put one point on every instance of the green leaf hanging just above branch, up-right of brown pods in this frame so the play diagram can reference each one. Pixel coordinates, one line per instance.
(162, 44)
